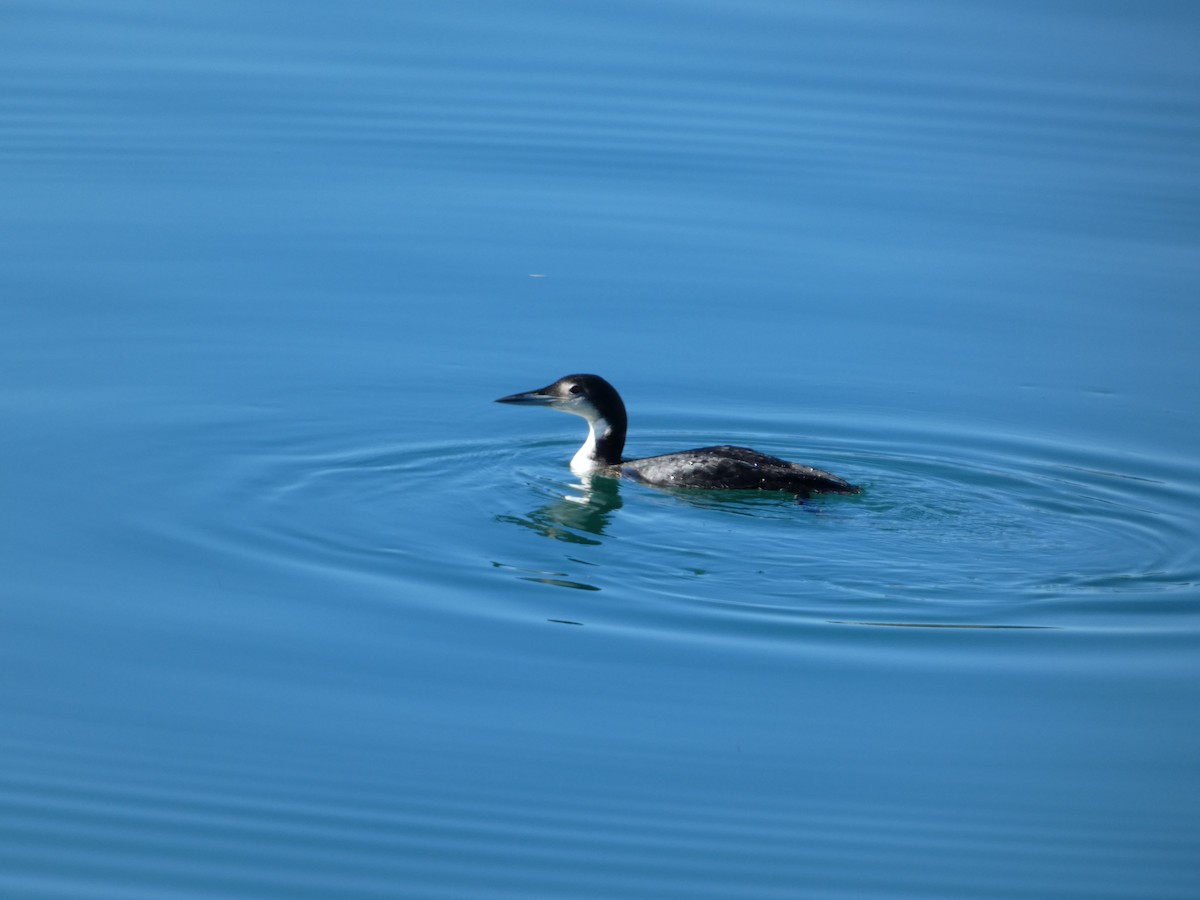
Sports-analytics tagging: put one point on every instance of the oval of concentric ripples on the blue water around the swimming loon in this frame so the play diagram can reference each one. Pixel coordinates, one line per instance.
(968, 532)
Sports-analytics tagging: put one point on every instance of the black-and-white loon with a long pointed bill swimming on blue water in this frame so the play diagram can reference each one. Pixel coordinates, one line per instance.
(729, 469)
